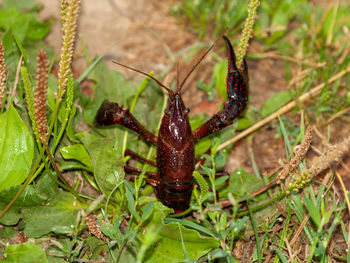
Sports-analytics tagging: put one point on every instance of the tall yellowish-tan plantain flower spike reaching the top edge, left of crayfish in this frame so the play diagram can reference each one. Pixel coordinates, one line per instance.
(69, 18)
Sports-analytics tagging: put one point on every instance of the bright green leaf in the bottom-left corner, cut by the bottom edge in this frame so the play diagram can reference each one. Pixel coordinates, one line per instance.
(26, 252)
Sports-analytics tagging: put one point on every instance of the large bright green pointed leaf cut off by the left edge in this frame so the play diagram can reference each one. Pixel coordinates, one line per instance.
(16, 149)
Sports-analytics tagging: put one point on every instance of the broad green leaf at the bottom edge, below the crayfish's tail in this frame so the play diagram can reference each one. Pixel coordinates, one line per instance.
(168, 247)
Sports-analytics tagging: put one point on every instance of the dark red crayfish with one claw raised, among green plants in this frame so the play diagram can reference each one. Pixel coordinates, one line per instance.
(175, 159)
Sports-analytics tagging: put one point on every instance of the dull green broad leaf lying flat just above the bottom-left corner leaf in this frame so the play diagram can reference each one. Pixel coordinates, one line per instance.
(58, 215)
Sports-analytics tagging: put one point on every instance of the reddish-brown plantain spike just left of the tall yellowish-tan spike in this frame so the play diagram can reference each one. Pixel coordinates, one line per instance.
(41, 94)
